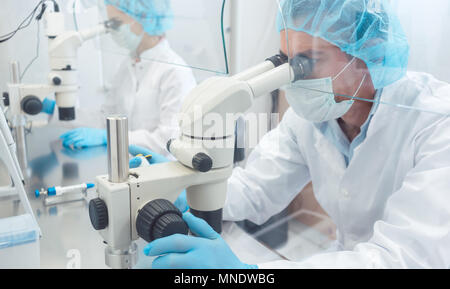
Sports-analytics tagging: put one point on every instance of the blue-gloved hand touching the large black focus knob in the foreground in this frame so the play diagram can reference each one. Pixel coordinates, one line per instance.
(207, 251)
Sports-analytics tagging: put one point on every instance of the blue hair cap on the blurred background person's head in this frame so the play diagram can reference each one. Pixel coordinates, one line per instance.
(154, 15)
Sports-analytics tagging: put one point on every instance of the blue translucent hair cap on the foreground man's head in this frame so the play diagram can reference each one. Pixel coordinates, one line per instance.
(366, 29)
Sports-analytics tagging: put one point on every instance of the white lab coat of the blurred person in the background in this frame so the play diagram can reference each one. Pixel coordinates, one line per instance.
(151, 93)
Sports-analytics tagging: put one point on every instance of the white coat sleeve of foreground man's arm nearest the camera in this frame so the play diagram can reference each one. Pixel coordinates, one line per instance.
(415, 229)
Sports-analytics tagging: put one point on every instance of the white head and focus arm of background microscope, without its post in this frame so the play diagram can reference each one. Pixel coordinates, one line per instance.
(63, 47)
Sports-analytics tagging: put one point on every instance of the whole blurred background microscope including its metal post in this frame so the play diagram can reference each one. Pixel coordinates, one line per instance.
(26, 99)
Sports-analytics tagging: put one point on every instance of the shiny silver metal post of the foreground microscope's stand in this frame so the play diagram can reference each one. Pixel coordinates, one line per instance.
(117, 136)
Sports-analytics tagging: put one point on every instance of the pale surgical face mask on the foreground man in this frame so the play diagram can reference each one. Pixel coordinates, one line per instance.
(313, 99)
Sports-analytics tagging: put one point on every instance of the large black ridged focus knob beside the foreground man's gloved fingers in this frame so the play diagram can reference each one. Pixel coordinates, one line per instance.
(159, 218)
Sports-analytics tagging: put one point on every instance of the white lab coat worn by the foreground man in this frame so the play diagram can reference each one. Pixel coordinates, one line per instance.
(391, 204)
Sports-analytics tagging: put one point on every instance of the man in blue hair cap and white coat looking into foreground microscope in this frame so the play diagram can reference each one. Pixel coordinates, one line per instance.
(373, 139)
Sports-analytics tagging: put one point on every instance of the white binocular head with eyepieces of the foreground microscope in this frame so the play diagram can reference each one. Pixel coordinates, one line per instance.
(223, 98)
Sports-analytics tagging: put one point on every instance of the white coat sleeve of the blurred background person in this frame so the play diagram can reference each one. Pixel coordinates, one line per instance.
(175, 86)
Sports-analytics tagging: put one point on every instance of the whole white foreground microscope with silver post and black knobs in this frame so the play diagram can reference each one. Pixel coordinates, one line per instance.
(139, 202)
